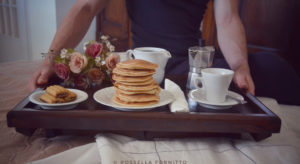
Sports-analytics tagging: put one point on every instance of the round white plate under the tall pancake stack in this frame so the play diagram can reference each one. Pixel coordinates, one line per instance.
(105, 95)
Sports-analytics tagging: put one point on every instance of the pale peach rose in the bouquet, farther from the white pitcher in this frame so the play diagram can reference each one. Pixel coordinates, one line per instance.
(77, 62)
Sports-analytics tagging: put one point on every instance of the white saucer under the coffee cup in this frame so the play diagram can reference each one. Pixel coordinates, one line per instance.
(199, 96)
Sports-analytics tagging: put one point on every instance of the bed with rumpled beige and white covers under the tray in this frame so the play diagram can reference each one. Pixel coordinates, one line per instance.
(107, 148)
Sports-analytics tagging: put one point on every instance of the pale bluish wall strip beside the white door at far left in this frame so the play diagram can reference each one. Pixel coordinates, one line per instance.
(41, 26)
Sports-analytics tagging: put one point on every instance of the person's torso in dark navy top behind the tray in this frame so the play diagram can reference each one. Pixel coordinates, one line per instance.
(170, 24)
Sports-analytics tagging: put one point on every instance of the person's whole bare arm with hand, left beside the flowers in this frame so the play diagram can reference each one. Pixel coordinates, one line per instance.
(72, 29)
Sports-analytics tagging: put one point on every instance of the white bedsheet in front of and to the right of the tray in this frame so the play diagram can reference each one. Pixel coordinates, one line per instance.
(283, 147)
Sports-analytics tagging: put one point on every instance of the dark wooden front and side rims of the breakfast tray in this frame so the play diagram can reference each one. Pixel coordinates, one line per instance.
(20, 118)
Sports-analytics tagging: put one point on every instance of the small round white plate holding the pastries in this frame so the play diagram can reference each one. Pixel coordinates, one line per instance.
(81, 96)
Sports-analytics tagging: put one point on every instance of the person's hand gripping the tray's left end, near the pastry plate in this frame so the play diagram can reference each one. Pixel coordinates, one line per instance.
(41, 76)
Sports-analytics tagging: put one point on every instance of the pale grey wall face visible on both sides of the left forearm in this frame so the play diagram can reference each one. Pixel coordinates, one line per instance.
(62, 7)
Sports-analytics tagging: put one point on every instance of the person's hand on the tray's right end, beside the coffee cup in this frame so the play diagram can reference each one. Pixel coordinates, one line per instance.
(242, 78)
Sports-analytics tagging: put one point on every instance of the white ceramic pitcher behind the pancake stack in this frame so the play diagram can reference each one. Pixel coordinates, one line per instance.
(152, 54)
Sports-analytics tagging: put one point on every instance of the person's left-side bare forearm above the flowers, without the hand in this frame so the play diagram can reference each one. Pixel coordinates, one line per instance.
(75, 24)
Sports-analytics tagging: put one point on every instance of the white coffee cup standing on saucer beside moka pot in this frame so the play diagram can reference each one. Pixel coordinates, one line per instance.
(215, 82)
